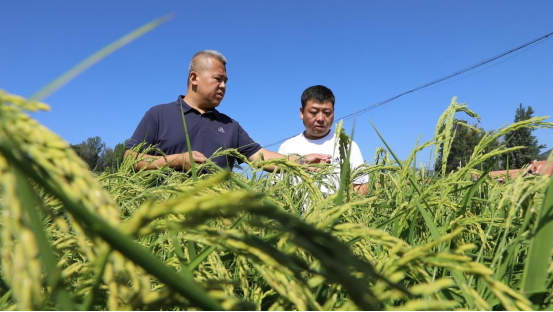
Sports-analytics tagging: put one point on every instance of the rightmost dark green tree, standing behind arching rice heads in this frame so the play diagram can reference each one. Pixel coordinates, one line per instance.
(523, 137)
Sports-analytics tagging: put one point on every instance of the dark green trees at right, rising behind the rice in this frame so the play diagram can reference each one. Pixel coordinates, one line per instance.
(467, 137)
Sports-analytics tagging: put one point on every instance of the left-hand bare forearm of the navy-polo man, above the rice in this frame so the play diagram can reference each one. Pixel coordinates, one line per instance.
(176, 161)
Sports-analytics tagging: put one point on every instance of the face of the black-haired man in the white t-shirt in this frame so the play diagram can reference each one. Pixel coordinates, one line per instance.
(317, 119)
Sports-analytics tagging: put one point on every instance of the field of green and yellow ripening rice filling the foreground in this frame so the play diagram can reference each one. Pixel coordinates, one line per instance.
(167, 240)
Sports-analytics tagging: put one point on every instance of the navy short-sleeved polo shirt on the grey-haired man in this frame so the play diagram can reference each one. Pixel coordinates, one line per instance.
(163, 127)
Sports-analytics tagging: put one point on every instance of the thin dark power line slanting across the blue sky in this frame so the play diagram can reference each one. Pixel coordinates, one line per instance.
(457, 73)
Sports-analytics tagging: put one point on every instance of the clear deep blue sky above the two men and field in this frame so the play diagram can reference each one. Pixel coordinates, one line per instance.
(365, 51)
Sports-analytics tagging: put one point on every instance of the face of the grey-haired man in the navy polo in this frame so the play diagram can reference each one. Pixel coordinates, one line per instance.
(212, 83)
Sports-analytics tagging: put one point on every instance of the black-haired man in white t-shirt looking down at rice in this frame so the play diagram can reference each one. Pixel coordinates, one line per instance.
(317, 113)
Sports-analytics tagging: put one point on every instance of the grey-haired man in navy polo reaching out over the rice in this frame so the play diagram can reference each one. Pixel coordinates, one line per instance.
(208, 129)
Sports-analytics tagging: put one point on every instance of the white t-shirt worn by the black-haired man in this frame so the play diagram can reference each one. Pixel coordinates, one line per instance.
(327, 145)
